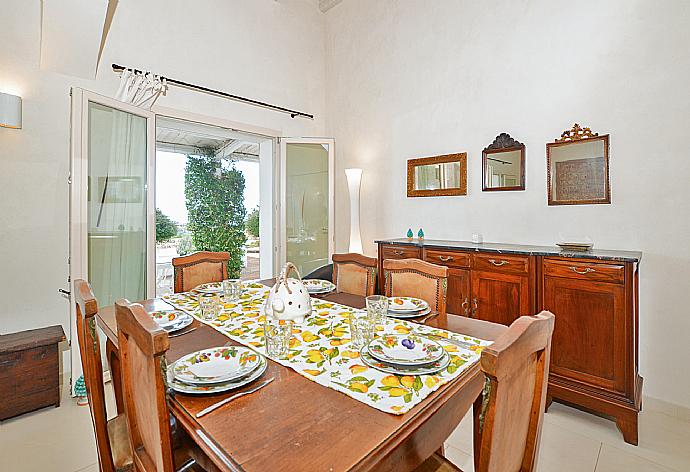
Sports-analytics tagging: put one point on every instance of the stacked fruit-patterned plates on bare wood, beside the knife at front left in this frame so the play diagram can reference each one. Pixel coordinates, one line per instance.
(216, 370)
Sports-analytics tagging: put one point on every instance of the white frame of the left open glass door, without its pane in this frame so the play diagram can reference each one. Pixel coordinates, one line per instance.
(78, 204)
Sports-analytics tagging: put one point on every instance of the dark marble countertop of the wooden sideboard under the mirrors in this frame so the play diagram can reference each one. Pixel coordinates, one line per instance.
(601, 254)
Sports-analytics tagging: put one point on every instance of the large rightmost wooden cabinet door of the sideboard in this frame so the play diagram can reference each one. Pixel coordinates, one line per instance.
(589, 335)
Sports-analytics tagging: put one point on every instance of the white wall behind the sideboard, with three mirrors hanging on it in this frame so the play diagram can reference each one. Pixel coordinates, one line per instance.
(417, 78)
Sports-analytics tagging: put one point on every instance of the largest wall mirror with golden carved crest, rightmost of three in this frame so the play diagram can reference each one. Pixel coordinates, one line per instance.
(577, 166)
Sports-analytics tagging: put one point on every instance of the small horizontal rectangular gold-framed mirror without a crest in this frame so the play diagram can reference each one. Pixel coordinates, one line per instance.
(437, 176)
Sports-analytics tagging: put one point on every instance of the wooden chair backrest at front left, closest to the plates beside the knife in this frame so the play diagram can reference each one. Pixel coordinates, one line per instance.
(142, 345)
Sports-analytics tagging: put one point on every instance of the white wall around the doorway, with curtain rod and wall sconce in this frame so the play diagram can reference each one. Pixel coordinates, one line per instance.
(263, 49)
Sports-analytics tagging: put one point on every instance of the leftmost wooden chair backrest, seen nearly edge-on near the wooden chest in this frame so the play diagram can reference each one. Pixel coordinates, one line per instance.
(90, 352)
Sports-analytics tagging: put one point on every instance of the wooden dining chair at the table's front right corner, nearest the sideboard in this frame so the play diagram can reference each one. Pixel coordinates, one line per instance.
(510, 418)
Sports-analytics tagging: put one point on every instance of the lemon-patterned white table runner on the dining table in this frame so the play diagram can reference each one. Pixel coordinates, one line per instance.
(320, 349)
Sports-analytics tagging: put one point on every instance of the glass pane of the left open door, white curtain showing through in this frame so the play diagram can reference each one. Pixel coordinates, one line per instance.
(116, 204)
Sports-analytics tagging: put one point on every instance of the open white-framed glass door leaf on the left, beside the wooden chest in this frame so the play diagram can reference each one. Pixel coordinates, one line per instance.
(112, 217)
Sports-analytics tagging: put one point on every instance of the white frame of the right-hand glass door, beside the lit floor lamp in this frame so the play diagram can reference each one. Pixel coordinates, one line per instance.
(283, 192)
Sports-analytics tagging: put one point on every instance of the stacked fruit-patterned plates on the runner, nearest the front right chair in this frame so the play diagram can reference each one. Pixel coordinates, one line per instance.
(405, 354)
